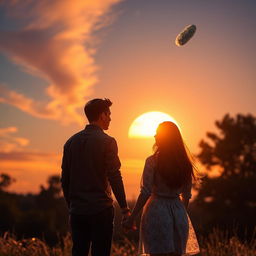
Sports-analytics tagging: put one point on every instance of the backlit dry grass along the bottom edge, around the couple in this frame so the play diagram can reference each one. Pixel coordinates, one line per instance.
(216, 244)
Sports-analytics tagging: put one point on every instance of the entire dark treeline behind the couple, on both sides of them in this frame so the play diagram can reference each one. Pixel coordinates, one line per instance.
(227, 201)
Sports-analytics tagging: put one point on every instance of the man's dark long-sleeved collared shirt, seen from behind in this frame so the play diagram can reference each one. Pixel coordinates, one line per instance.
(90, 165)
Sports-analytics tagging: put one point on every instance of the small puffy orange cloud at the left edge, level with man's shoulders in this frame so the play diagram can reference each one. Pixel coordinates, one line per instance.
(10, 143)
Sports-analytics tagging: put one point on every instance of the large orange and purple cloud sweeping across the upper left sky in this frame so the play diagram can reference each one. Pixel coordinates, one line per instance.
(55, 41)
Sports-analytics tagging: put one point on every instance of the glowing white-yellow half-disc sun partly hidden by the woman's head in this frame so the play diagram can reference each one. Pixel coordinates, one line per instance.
(146, 124)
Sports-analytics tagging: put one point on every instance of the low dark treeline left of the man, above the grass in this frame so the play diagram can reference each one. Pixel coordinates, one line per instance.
(43, 215)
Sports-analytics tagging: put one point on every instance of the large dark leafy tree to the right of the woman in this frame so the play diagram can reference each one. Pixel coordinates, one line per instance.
(229, 199)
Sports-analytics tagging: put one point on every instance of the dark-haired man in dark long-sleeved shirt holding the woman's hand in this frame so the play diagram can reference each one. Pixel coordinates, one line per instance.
(90, 166)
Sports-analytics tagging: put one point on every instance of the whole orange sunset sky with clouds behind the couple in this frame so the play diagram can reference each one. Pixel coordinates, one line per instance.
(57, 55)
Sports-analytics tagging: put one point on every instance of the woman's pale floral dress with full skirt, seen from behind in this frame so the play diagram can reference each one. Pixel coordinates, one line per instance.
(165, 225)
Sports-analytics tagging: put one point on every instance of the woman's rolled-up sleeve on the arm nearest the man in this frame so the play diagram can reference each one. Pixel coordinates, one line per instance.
(146, 184)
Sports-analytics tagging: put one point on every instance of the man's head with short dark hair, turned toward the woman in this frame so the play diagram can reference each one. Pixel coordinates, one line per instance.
(97, 112)
